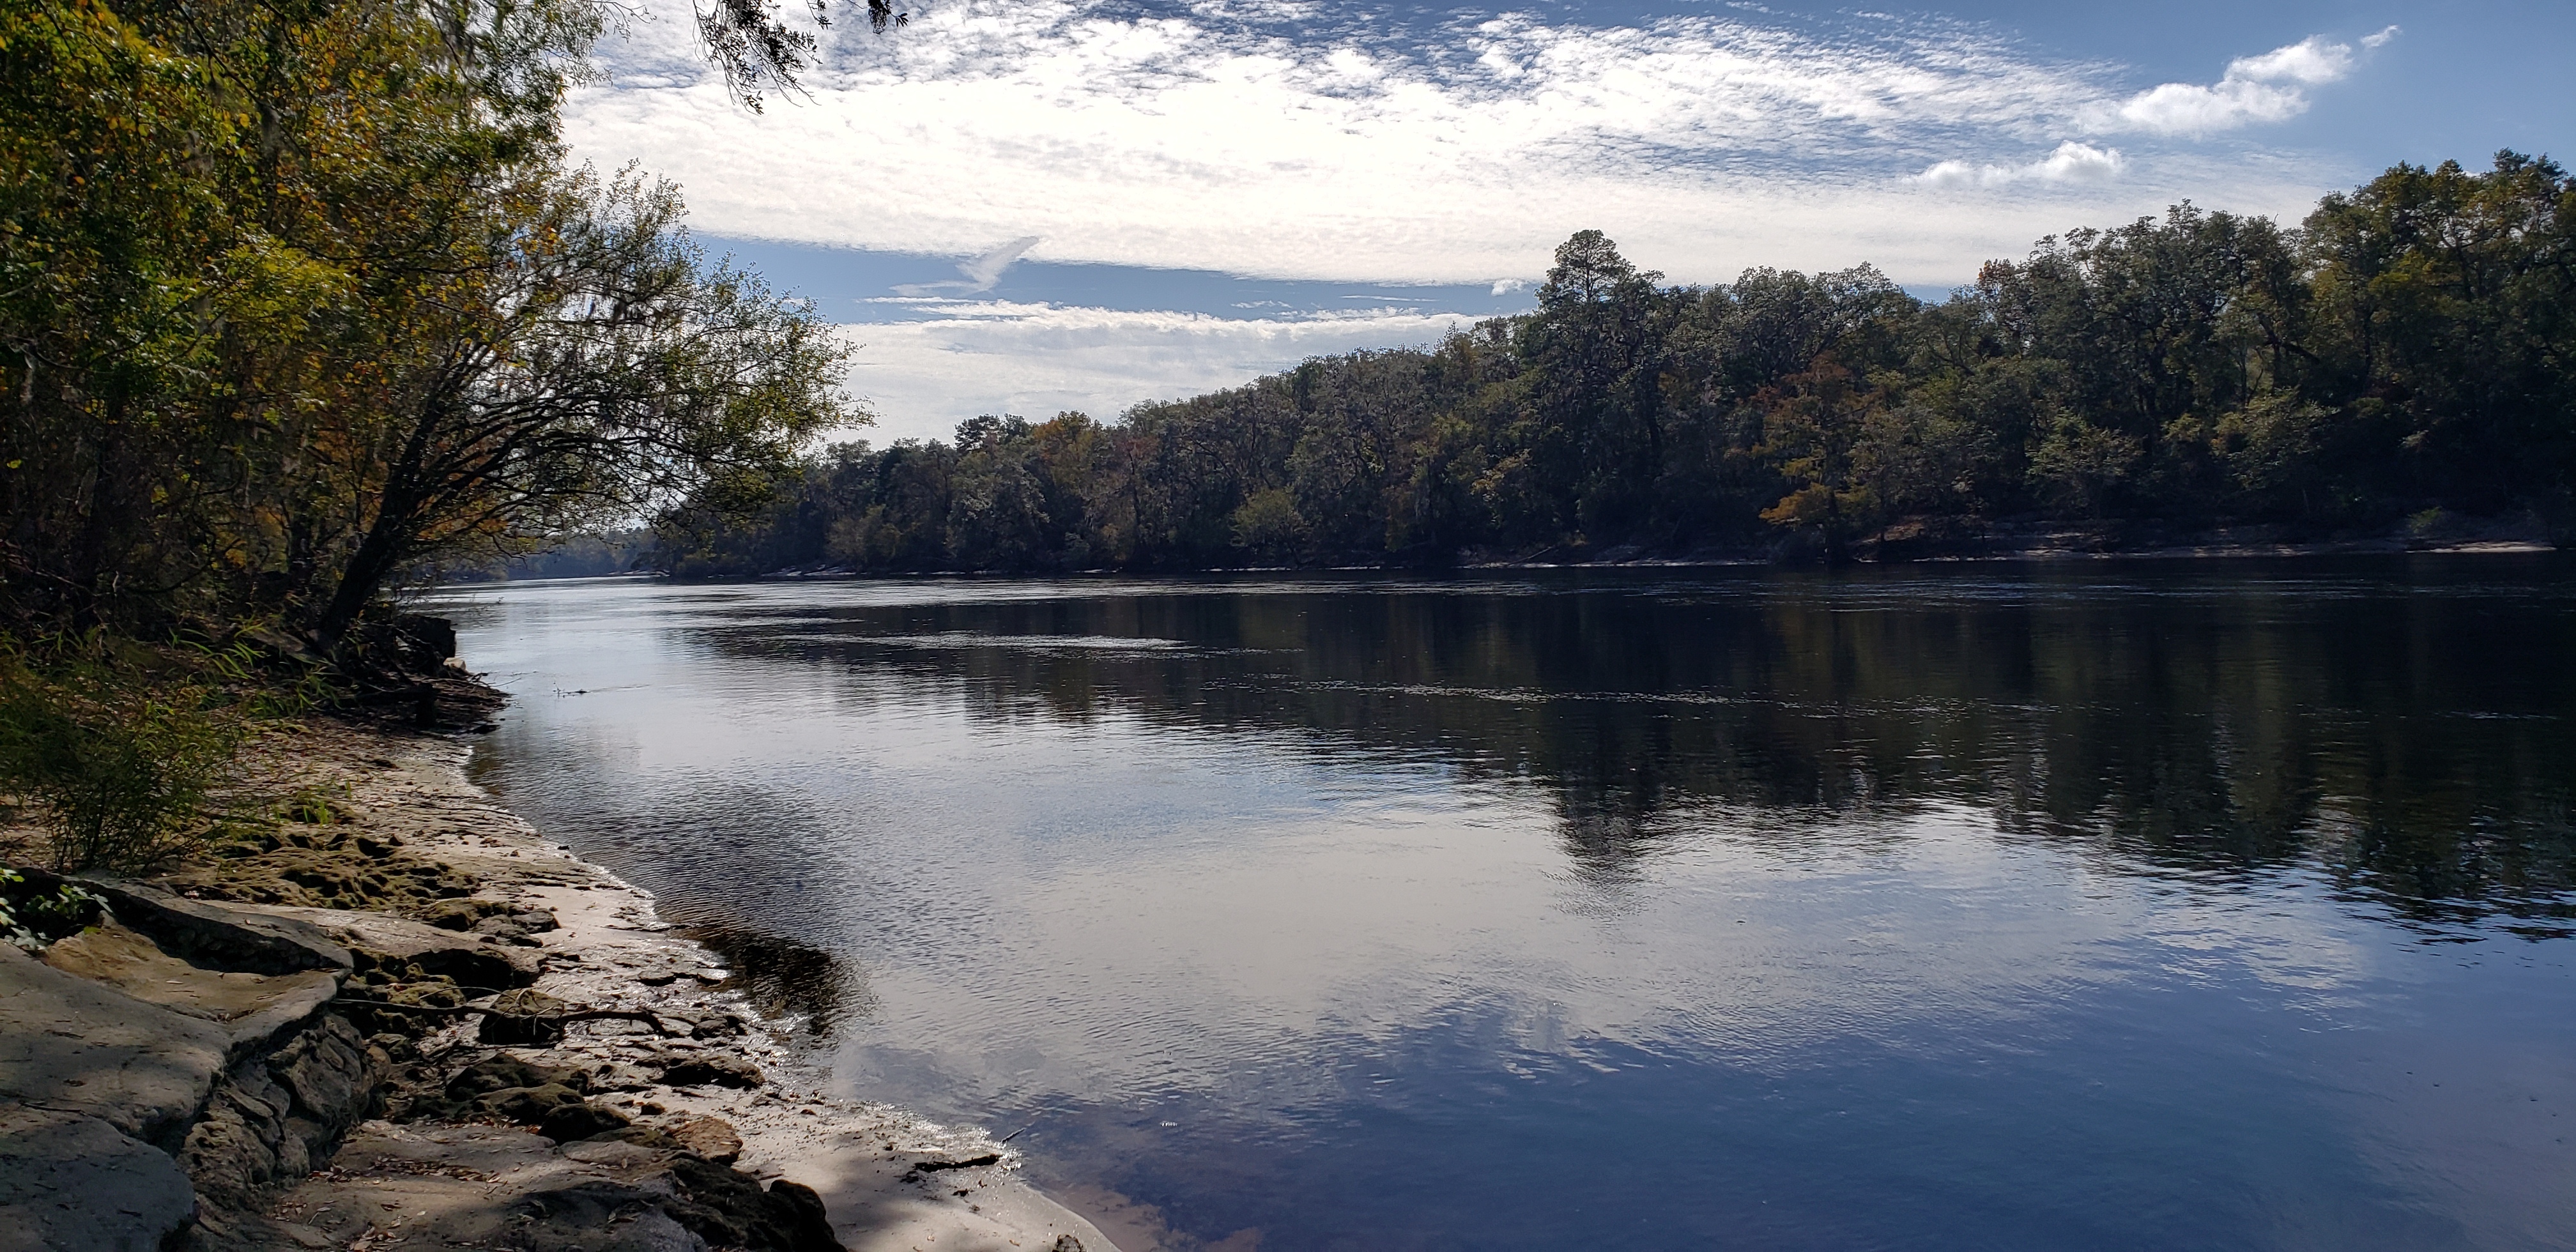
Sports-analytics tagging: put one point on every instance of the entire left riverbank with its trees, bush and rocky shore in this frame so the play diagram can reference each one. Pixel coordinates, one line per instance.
(292, 300)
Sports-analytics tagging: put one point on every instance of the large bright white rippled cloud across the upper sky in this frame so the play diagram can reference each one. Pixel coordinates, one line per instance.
(1191, 140)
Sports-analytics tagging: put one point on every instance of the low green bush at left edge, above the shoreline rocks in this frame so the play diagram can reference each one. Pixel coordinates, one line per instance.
(117, 746)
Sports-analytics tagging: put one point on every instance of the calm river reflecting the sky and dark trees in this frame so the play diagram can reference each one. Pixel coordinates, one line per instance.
(2011, 908)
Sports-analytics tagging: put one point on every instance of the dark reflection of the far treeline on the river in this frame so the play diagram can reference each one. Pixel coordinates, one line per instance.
(2397, 725)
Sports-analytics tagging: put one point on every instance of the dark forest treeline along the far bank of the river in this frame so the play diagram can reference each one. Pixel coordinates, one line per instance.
(2405, 354)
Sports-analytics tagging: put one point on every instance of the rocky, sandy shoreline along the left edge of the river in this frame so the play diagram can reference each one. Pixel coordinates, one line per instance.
(408, 1021)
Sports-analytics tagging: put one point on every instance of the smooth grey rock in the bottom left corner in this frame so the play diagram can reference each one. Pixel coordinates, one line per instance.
(73, 1184)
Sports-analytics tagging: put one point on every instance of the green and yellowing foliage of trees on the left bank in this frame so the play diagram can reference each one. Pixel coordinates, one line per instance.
(303, 295)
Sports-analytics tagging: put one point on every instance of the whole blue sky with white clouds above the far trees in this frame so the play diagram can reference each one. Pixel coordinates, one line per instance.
(1029, 207)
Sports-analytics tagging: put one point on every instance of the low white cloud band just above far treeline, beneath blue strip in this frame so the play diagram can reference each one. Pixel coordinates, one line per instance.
(1039, 359)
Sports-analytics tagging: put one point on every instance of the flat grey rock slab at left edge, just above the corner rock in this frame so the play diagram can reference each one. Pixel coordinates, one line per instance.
(73, 1045)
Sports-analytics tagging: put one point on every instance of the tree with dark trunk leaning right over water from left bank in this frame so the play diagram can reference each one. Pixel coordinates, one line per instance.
(589, 370)
